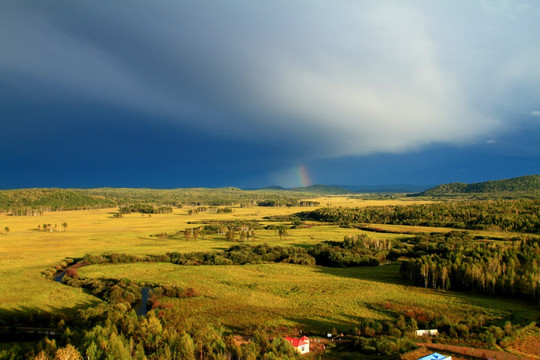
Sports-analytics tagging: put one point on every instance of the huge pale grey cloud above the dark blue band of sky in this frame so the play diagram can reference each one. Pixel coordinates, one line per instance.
(342, 78)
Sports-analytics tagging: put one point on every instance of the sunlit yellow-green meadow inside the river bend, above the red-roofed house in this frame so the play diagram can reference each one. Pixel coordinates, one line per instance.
(316, 298)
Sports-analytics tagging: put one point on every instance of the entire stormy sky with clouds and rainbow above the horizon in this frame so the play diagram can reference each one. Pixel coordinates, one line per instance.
(169, 94)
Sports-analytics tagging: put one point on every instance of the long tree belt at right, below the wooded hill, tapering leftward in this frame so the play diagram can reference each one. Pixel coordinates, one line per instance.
(508, 215)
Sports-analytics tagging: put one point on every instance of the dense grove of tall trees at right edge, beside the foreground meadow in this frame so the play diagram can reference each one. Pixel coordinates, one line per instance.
(489, 268)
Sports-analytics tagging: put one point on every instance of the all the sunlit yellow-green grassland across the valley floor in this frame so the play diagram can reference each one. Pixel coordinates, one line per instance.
(273, 294)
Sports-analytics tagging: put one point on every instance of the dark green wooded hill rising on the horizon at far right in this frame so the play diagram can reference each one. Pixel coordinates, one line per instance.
(523, 184)
